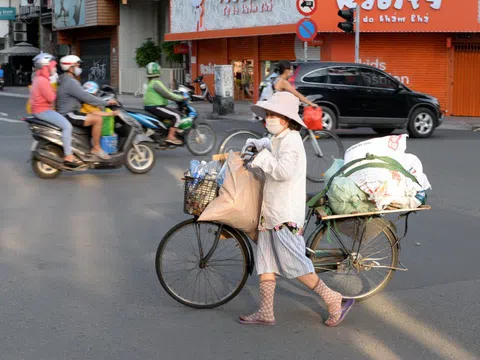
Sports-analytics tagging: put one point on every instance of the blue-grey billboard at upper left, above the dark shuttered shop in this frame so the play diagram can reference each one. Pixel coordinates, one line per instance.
(68, 13)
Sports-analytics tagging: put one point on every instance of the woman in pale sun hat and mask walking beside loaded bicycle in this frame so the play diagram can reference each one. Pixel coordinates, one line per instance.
(281, 247)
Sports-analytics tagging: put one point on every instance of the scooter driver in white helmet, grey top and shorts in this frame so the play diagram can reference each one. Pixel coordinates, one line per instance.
(70, 98)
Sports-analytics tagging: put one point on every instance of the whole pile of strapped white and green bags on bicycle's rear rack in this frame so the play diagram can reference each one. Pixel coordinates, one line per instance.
(376, 174)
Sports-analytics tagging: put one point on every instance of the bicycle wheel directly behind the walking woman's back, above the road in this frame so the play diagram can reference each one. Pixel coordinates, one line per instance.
(321, 147)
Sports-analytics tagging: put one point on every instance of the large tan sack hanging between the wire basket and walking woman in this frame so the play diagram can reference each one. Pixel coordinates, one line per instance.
(239, 201)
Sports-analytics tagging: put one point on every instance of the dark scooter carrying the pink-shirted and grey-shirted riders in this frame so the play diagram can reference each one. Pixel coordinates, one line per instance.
(135, 150)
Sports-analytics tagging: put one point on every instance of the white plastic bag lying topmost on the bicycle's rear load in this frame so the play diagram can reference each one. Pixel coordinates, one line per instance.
(392, 146)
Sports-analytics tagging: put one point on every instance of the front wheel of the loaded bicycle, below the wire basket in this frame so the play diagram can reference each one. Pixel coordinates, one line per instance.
(189, 280)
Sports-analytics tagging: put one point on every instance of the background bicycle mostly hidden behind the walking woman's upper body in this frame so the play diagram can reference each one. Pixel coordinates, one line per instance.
(329, 140)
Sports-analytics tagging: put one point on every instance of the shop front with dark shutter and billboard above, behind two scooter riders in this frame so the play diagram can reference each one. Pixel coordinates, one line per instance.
(92, 34)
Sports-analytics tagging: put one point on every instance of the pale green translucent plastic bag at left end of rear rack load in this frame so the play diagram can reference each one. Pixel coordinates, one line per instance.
(345, 197)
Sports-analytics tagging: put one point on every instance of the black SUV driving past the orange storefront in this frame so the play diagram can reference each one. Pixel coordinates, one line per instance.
(355, 95)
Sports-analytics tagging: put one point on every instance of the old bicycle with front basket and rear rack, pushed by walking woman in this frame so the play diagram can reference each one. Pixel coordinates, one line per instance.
(341, 247)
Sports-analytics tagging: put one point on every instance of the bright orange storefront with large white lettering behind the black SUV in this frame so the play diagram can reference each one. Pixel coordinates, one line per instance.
(429, 45)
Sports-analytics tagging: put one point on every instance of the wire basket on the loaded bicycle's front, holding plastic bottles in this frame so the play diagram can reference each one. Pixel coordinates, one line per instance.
(198, 194)
